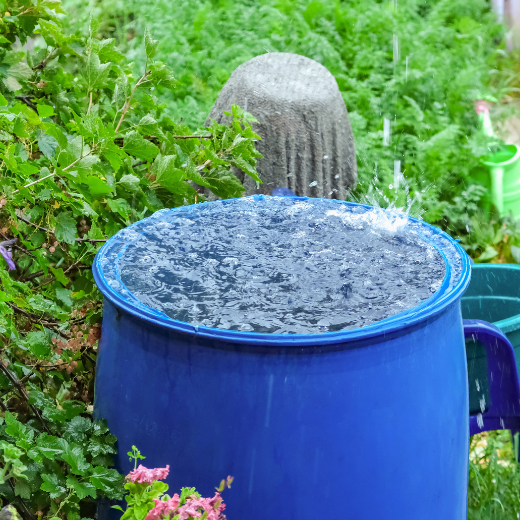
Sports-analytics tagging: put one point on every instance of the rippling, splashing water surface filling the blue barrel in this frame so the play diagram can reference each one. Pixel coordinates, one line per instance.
(278, 265)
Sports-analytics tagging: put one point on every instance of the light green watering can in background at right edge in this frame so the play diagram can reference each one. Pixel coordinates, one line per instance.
(504, 169)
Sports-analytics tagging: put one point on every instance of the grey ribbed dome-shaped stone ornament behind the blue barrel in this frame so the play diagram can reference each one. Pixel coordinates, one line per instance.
(307, 140)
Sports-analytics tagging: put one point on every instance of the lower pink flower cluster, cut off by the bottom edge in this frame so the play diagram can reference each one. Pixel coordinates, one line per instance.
(193, 508)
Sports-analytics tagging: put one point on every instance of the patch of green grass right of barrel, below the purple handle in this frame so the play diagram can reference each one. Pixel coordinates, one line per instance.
(494, 478)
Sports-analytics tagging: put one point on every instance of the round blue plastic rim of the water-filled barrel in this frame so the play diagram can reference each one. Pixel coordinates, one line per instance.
(427, 310)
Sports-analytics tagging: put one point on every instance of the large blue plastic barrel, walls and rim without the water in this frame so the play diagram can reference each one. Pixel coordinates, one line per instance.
(361, 424)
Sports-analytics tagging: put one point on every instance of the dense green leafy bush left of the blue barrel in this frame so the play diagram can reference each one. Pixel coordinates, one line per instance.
(85, 150)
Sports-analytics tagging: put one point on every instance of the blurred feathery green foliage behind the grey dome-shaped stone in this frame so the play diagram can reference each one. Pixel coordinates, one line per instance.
(420, 65)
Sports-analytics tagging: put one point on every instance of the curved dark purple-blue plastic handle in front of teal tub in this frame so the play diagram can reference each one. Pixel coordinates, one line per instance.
(504, 389)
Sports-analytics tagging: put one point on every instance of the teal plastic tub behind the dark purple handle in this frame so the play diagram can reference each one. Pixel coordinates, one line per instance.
(493, 295)
